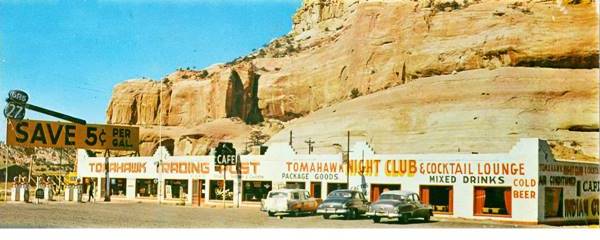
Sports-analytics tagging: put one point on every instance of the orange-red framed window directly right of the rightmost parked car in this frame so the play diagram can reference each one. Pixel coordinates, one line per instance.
(441, 198)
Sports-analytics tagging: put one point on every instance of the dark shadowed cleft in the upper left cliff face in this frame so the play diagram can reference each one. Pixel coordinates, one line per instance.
(242, 101)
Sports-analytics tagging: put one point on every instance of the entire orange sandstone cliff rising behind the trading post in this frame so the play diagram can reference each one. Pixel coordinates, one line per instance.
(466, 74)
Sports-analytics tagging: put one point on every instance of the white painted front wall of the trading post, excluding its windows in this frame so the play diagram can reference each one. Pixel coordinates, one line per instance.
(281, 164)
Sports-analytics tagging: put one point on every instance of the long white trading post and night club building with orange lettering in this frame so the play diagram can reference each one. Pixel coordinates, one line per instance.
(524, 185)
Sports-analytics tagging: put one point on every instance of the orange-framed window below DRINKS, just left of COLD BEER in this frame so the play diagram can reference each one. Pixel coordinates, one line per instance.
(492, 201)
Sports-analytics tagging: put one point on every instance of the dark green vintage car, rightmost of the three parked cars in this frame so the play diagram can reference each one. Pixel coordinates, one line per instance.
(401, 205)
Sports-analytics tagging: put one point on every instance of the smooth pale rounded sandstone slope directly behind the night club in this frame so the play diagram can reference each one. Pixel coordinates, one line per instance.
(483, 111)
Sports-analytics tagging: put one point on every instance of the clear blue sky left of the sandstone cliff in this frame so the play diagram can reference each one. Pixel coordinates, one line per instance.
(68, 55)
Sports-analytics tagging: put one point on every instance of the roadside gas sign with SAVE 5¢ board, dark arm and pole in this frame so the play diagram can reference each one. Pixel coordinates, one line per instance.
(32, 133)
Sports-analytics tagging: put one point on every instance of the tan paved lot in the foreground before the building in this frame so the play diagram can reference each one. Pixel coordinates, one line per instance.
(152, 215)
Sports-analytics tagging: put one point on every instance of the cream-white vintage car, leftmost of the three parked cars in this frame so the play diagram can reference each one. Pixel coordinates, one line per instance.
(289, 201)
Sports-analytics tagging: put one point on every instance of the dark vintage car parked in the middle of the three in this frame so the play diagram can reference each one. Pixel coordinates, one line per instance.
(348, 203)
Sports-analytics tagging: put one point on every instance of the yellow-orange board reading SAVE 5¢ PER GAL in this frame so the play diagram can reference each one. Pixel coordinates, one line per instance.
(32, 133)
